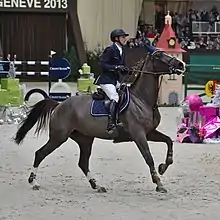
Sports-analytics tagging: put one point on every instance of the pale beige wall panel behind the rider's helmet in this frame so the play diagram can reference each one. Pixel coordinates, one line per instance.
(98, 17)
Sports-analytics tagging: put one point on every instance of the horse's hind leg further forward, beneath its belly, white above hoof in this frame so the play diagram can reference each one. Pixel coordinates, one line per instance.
(85, 145)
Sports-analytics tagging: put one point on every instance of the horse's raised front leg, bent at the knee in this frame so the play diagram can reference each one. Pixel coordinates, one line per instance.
(157, 136)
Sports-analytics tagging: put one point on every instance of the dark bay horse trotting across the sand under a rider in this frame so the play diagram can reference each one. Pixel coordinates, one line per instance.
(72, 119)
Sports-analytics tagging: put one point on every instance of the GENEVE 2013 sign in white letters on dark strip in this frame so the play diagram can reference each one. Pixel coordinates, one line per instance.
(34, 5)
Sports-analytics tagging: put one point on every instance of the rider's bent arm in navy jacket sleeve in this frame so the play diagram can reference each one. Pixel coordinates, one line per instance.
(105, 60)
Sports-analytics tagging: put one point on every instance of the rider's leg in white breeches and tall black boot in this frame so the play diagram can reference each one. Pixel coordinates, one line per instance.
(112, 94)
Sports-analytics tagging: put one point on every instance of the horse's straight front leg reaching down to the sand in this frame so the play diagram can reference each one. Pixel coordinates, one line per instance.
(139, 136)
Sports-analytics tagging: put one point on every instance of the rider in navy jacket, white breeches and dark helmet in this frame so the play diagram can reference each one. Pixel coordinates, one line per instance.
(112, 61)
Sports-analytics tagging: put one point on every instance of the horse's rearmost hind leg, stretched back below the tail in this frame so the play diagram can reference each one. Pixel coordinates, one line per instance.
(48, 148)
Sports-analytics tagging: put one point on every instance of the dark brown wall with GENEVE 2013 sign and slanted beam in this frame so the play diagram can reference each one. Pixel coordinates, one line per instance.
(32, 28)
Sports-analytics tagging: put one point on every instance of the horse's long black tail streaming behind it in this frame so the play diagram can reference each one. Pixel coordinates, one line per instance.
(40, 114)
